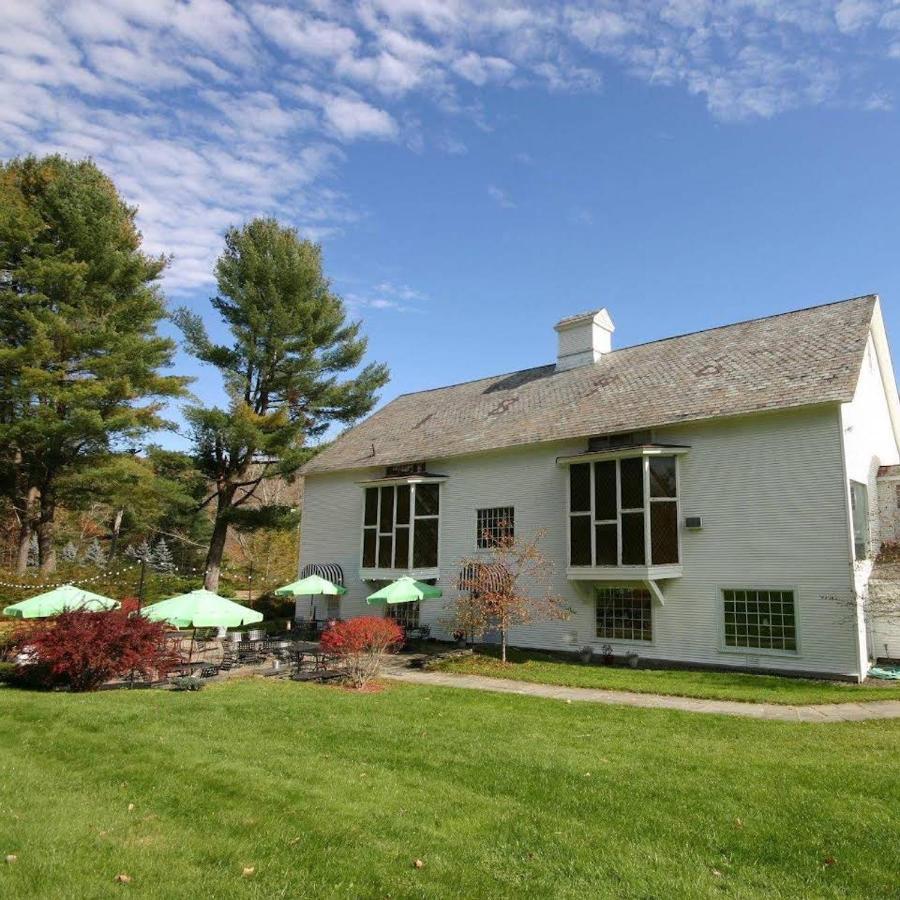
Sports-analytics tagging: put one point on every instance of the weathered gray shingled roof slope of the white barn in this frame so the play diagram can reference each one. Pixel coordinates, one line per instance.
(793, 359)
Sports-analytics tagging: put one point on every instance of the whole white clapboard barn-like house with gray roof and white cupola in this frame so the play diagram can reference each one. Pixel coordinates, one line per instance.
(709, 499)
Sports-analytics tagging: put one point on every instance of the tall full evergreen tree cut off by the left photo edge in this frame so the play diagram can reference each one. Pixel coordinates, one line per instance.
(79, 350)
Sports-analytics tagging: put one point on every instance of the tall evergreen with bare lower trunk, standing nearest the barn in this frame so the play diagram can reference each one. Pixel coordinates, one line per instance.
(290, 340)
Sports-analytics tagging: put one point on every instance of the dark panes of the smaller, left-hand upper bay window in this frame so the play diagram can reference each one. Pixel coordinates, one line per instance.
(400, 526)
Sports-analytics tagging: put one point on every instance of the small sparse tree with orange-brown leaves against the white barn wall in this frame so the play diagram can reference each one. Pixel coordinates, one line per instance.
(510, 585)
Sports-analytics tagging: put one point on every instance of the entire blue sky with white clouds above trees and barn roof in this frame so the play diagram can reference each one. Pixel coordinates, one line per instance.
(476, 171)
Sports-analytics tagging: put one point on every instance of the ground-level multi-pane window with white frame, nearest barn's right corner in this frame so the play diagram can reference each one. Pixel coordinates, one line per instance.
(763, 620)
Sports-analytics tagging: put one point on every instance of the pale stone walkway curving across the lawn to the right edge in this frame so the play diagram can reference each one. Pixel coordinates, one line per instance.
(831, 712)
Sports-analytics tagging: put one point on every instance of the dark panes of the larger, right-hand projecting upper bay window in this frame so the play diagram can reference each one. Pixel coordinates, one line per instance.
(614, 505)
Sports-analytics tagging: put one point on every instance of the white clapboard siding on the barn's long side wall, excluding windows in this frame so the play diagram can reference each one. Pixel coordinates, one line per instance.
(771, 491)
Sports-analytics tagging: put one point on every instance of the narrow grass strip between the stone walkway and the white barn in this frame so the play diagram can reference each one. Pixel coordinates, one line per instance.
(542, 668)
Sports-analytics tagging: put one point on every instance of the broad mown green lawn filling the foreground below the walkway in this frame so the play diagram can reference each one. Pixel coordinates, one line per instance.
(328, 793)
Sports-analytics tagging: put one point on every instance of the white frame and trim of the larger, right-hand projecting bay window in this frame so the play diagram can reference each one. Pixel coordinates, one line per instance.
(648, 567)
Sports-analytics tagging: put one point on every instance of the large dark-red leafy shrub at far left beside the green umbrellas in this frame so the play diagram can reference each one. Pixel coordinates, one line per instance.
(82, 650)
